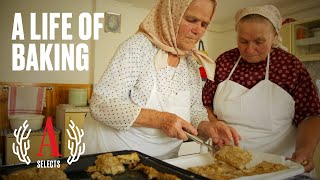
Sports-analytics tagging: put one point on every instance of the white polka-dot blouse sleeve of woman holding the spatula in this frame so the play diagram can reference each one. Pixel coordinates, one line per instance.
(110, 102)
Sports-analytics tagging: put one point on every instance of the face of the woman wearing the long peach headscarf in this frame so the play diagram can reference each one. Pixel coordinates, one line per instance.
(194, 23)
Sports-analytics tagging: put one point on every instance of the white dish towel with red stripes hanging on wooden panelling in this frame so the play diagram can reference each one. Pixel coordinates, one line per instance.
(26, 100)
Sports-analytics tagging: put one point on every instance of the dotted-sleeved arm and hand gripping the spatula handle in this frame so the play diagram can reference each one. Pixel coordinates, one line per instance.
(111, 103)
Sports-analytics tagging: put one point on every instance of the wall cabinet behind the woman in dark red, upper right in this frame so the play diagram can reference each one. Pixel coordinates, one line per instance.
(302, 38)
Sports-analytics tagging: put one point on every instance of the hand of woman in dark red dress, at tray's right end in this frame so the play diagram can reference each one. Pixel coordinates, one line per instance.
(304, 156)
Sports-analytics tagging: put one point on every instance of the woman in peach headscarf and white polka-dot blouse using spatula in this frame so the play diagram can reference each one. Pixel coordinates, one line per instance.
(151, 90)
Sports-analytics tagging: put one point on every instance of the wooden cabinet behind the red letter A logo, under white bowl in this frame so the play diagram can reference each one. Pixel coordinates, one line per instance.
(35, 143)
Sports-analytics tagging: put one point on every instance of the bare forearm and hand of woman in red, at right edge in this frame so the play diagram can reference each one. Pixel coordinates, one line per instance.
(308, 136)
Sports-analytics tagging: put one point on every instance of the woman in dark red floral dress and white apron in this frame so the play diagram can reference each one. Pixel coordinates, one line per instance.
(264, 92)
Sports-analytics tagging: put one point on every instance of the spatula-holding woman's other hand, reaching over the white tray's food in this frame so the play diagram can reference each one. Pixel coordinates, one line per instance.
(221, 133)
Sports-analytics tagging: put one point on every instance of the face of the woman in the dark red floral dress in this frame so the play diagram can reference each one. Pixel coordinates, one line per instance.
(255, 40)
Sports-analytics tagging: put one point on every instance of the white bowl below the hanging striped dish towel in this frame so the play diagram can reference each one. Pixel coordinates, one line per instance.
(34, 120)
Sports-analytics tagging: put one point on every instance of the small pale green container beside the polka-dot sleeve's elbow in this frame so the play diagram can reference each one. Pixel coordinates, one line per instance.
(77, 97)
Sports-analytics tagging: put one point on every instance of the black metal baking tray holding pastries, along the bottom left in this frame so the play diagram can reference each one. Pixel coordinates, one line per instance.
(77, 170)
